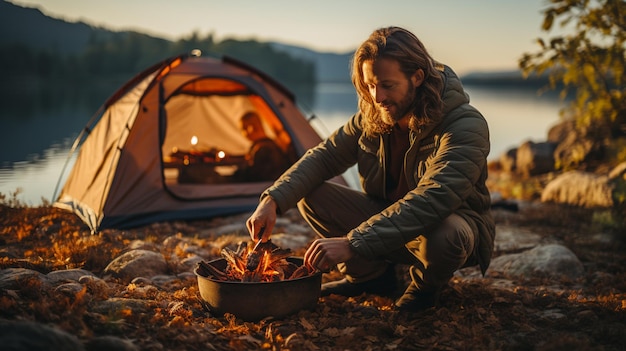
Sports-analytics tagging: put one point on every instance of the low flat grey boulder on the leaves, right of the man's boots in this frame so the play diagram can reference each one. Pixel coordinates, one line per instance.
(550, 260)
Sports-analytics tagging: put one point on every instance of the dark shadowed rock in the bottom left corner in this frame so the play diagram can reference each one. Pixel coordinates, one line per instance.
(28, 336)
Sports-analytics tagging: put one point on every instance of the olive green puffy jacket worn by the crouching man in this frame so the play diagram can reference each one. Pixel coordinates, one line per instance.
(446, 167)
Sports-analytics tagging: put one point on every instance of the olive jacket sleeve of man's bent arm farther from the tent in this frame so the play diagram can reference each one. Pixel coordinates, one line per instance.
(448, 180)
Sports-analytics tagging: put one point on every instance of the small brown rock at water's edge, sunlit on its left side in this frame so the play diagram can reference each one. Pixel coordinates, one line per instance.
(535, 158)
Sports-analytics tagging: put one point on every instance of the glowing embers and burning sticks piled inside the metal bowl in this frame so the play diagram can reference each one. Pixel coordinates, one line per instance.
(267, 264)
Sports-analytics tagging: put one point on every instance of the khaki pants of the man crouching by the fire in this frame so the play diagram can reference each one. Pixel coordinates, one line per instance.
(333, 210)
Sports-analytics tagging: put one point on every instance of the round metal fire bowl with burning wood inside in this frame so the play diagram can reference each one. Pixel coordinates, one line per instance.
(255, 283)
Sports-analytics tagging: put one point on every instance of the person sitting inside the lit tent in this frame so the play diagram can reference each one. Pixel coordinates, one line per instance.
(265, 160)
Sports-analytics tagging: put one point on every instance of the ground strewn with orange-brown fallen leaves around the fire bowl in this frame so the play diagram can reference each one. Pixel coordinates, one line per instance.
(534, 314)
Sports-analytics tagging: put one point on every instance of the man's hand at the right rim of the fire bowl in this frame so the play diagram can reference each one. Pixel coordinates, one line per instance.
(325, 253)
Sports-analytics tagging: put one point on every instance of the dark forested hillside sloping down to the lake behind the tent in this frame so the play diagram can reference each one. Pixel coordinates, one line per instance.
(43, 54)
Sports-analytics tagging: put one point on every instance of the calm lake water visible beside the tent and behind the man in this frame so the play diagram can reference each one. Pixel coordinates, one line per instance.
(36, 140)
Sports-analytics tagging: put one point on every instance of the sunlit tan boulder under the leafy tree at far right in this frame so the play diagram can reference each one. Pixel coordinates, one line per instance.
(579, 189)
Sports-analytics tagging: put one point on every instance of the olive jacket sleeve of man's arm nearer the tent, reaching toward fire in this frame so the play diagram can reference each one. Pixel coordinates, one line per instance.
(330, 158)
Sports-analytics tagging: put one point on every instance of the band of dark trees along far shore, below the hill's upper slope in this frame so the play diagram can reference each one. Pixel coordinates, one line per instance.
(116, 58)
